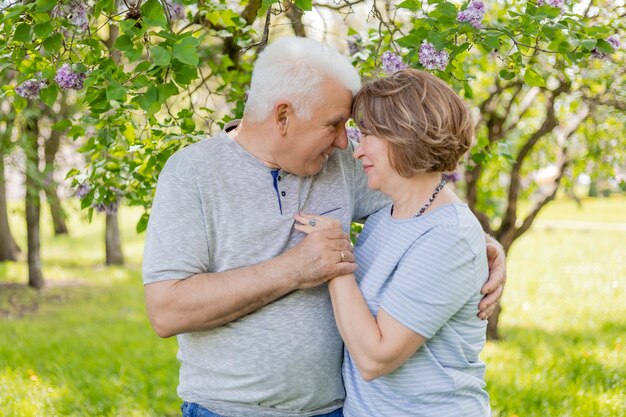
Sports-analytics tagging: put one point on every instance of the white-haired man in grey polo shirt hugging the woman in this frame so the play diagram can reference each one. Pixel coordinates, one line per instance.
(225, 270)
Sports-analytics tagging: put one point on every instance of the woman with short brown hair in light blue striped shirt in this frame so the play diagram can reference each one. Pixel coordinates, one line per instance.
(408, 314)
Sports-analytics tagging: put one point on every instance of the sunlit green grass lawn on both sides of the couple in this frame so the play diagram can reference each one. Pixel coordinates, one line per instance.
(83, 346)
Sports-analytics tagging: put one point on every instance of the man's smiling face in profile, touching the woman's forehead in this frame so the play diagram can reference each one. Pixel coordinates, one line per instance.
(309, 143)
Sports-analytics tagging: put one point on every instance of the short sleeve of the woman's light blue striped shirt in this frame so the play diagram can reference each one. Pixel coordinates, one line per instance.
(433, 280)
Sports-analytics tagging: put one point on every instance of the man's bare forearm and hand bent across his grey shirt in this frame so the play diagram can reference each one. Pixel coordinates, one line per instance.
(209, 300)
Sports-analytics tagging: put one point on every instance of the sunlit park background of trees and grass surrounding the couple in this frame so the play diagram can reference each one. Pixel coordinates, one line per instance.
(95, 96)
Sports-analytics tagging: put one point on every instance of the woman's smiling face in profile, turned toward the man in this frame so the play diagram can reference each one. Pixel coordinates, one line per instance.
(374, 155)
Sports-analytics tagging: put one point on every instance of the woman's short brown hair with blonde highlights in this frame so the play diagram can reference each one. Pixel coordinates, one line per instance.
(427, 125)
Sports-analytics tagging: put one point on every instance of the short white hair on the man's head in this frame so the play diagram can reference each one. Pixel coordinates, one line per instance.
(293, 69)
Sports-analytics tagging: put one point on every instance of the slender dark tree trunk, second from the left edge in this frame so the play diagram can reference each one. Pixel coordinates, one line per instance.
(33, 201)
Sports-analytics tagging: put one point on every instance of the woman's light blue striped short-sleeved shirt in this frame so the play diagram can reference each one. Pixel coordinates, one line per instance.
(427, 273)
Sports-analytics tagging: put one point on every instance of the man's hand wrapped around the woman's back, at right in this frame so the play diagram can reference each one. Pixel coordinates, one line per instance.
(497, 277)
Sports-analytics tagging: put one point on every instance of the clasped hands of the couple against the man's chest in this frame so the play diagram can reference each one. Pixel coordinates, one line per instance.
(325, 253)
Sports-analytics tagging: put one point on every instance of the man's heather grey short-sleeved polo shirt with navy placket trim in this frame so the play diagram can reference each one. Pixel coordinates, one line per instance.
(216, 208)
